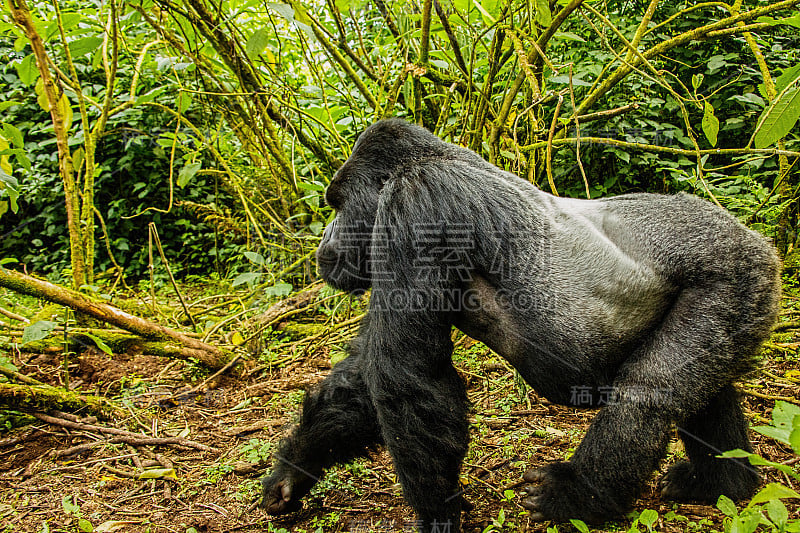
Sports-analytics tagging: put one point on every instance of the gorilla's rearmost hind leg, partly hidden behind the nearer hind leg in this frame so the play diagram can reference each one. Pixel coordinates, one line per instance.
(718, 427)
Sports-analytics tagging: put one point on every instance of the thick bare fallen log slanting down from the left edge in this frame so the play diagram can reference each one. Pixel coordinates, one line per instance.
(207, 354)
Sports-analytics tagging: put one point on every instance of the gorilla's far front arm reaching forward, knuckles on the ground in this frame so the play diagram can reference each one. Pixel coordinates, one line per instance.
(338, 424)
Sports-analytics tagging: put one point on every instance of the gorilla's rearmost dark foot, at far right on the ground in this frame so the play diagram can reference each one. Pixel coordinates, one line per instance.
(735, 479)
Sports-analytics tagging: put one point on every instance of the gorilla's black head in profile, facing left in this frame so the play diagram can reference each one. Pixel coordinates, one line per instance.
(379, 153)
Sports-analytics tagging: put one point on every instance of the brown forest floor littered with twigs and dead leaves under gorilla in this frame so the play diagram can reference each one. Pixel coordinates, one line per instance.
(242, 415)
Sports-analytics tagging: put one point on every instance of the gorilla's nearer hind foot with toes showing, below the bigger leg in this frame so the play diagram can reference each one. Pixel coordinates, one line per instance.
(559, 493)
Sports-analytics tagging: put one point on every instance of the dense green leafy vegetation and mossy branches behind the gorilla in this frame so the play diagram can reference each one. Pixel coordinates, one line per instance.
(211, 129)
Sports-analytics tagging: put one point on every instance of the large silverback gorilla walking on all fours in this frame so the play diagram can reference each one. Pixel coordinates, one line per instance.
(648, 306)
